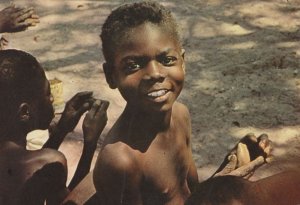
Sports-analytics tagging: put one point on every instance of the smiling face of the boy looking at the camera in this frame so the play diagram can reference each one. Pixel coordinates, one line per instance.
(148, 68)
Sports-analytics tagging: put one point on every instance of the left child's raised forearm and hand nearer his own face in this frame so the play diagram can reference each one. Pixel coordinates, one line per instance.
(73, 111)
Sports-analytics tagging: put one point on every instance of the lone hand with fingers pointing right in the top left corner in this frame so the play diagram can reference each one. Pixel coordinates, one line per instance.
(15, 19)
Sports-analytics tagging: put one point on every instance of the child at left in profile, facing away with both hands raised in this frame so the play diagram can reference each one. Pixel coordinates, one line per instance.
(31, 177)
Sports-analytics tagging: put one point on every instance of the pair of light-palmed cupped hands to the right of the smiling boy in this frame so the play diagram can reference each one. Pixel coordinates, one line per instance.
(246, 156)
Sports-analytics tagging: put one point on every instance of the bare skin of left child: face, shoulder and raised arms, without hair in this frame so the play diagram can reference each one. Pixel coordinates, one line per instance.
(31, 177)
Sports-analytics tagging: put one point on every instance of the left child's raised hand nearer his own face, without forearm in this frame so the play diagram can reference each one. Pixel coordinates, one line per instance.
(74, 109)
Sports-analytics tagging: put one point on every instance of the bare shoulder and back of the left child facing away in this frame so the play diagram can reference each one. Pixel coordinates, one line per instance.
(23, 172)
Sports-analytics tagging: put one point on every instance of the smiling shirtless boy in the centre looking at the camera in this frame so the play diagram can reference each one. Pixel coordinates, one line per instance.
(146, 157)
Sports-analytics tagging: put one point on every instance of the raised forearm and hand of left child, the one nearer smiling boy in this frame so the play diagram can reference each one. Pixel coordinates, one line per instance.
(93, 125)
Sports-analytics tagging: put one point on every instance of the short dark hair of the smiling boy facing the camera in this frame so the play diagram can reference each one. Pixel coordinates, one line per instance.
(128, 16)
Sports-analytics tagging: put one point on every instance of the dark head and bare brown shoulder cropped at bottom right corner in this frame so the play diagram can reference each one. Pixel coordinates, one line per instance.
(282, 188)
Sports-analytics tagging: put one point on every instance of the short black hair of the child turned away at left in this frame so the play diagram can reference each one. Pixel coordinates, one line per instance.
(21, 80)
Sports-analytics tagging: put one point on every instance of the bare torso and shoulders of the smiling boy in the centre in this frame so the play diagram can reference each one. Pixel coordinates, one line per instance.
(159, 167)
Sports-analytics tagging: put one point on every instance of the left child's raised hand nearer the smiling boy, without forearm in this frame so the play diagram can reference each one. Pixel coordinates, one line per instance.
(94, 122)
